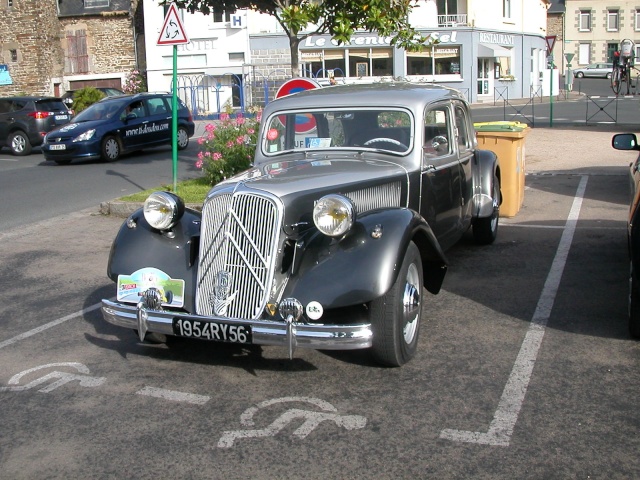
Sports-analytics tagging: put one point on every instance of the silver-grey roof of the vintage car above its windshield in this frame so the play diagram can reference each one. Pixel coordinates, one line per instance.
(391, 94)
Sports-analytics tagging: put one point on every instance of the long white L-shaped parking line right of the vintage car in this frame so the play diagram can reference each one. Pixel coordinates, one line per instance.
(506, 415)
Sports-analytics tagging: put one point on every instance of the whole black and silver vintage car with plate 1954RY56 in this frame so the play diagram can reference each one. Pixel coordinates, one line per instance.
(329, 241)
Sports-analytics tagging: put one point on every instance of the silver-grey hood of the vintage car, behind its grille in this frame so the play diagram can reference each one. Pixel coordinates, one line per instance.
(300, 183)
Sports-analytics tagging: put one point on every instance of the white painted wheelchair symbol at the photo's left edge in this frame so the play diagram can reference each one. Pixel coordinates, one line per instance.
(61, 378)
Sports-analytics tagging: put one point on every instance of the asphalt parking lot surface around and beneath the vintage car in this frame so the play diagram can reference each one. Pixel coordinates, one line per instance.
(524, 369)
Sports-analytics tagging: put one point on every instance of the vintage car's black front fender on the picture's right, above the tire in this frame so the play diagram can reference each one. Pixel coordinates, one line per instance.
(360, 268)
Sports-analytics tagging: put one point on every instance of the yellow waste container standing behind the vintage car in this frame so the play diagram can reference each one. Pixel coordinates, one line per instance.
(507, 141)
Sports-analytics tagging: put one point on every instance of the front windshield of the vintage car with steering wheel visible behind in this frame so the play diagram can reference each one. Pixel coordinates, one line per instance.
(365, 128)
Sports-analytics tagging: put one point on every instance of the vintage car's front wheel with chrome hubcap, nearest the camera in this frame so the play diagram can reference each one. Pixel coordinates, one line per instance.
(395, 317)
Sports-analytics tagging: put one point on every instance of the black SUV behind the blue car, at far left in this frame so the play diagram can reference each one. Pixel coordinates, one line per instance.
(24, 121)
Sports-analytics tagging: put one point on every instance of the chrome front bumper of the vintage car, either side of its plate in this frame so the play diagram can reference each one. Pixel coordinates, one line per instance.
(289, 334)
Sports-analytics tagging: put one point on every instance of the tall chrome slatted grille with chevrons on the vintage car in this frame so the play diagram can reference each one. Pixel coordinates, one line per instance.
(238, 246)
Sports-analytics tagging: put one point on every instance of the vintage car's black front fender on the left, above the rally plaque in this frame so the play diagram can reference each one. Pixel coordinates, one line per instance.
(137, 245)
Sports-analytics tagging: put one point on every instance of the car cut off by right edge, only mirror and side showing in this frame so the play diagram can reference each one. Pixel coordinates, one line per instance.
(629, 141)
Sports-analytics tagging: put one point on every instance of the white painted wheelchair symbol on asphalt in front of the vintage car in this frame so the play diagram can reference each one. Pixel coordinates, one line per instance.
(311, 420)
